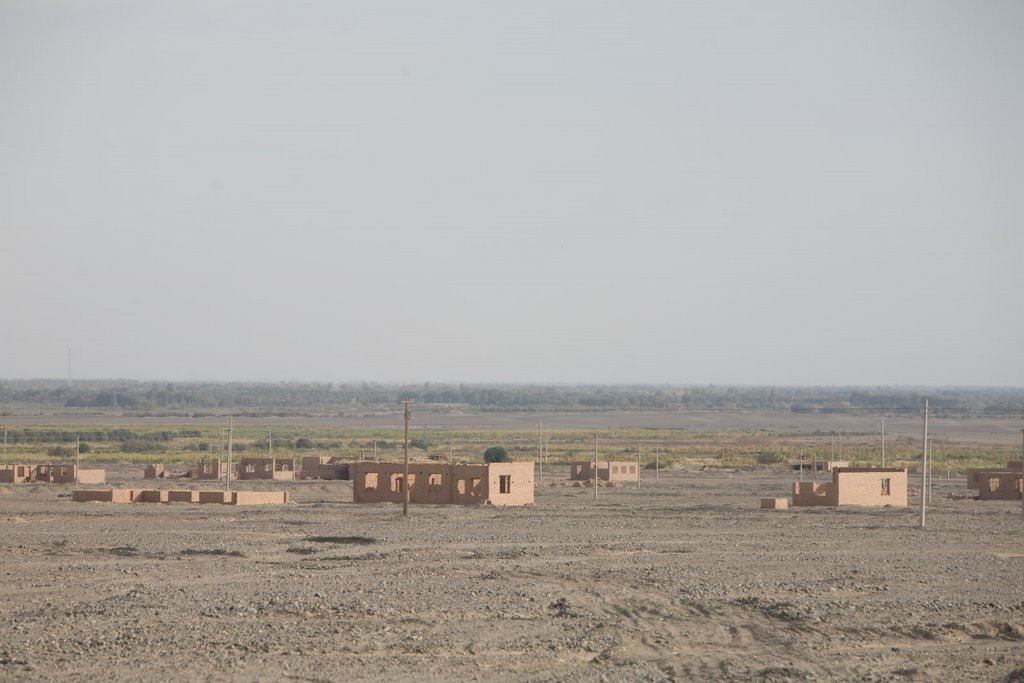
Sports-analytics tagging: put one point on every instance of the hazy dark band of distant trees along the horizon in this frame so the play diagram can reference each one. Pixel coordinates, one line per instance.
(198, 400)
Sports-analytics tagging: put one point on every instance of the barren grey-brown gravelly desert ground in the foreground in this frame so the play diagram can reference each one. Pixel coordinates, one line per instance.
(685, 579)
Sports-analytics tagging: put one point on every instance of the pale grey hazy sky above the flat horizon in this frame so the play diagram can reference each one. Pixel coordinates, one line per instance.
(785, 193)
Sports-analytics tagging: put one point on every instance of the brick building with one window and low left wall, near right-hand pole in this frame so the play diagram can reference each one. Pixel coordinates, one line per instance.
(855, 486)
